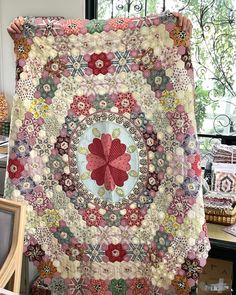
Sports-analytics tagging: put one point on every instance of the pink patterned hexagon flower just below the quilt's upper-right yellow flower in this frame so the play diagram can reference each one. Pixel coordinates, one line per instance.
(180, 122)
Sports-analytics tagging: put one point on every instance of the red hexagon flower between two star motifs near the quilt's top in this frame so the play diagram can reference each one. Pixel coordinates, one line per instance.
(99, 63)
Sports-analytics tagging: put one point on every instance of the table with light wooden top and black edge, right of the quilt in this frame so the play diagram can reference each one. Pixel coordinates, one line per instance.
(223, 246)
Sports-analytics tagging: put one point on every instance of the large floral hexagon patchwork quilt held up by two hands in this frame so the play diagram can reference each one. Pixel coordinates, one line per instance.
(105, 156)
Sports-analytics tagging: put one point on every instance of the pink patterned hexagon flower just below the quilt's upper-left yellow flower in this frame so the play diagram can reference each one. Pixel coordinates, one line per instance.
(30, 128)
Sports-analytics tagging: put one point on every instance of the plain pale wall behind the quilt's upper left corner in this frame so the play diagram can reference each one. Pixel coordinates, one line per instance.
(9, 9)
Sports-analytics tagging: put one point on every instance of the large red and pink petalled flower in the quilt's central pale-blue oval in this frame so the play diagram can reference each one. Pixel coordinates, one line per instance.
(108, 162)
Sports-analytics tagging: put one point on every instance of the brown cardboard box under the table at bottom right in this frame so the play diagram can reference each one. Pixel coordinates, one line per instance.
(216, 278)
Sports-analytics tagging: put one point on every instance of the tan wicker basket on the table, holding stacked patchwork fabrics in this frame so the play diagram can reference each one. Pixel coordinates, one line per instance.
(221, 216)
